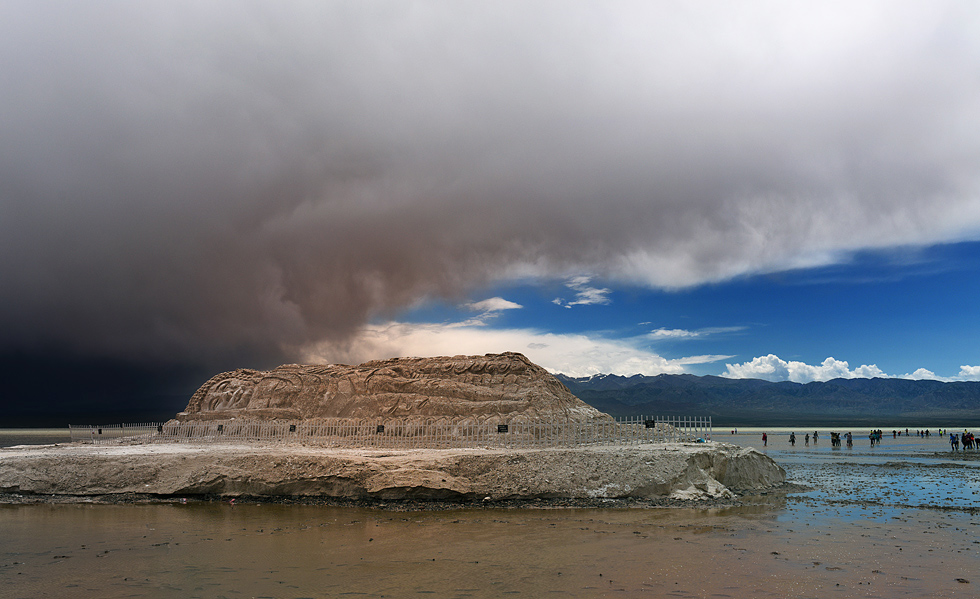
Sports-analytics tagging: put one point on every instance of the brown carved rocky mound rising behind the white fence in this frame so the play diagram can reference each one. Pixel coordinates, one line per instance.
(504, 386)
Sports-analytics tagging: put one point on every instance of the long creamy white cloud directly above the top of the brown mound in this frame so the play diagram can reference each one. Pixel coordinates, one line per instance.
(572, 354)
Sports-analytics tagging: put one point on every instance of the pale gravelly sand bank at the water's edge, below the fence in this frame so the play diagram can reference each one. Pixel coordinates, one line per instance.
(676, 471)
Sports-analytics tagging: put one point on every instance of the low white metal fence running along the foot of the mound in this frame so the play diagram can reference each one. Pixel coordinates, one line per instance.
(408, 434)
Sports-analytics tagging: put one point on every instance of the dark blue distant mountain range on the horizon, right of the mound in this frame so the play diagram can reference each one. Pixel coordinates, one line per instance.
(744, 402)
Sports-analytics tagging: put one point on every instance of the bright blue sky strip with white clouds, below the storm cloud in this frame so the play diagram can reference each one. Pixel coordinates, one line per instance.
(905, 312)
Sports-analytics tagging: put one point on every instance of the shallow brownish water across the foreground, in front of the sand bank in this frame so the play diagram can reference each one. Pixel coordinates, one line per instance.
(220, 550)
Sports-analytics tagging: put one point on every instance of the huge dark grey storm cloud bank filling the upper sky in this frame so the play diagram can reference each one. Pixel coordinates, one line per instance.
(202, 182)
